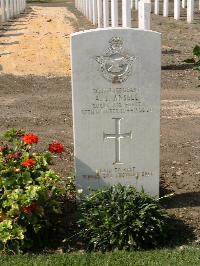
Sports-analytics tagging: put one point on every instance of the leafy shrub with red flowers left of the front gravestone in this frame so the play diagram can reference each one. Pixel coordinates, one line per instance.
(29, 192)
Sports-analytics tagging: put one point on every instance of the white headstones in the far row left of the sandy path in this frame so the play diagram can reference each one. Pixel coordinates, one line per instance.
(11, 9)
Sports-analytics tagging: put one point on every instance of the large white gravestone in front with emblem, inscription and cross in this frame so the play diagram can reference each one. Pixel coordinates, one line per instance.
(116, 107)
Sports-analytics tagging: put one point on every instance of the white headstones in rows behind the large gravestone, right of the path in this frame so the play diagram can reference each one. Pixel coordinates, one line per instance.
(101, 12)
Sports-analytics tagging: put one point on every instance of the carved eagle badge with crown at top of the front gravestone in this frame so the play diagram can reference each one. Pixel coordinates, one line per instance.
(116, 64)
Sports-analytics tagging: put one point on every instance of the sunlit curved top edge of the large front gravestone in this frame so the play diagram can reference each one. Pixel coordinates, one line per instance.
(111, 28)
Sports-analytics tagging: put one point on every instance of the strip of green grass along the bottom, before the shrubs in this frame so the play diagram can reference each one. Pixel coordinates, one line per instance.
(187, 257)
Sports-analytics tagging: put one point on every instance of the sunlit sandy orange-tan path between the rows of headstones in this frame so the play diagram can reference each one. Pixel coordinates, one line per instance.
(38, 43)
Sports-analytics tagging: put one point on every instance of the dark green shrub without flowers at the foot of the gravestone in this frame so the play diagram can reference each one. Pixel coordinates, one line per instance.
(119, 217)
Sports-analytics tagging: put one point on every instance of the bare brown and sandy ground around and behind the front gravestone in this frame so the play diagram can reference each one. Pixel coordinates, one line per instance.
(35, 94)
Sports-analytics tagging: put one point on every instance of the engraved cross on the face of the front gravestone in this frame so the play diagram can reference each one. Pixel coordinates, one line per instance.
(117, 136)
